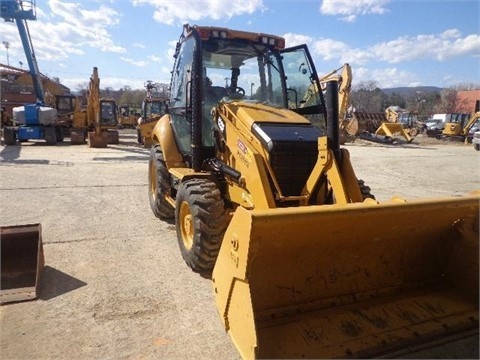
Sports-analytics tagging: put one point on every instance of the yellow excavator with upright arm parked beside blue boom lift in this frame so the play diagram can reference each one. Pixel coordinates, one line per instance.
(98, 122)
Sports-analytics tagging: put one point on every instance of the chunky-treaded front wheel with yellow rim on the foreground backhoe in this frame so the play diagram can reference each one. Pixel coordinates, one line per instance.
(201, 221)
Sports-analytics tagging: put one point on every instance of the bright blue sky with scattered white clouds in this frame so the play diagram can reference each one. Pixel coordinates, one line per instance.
(392, 42)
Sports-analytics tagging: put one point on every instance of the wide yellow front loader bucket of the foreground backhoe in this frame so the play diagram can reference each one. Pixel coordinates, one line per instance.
(349, 281)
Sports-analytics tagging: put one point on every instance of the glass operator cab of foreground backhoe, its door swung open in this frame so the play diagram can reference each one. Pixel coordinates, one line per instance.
(215, 65)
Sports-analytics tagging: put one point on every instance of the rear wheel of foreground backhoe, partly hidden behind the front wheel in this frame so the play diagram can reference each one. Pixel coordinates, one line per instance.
(159, 185)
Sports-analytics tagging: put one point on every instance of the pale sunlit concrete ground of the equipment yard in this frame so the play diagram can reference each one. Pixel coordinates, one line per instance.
(115, 285)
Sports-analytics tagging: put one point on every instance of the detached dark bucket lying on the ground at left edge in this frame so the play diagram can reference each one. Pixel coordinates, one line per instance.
(22, 262)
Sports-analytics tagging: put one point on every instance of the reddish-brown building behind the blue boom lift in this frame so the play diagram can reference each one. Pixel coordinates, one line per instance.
(16, 87)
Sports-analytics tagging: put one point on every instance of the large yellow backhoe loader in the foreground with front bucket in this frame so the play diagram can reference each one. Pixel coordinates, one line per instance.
(304, 262)
